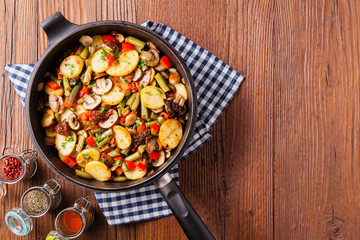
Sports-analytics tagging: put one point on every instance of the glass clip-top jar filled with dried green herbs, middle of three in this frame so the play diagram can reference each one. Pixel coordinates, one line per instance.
(37, 201)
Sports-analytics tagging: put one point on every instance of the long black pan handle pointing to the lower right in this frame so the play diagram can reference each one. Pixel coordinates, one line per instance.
(187, 217)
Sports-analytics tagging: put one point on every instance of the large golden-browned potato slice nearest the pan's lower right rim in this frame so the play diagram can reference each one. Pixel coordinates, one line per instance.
(170, 133)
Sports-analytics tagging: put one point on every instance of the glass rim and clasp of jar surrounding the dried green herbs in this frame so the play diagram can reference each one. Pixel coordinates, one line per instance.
(51, 189)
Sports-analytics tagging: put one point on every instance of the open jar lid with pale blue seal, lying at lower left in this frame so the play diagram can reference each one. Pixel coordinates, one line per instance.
(18, 221)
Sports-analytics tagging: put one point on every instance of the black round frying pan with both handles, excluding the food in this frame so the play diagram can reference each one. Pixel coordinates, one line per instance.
(62, 34)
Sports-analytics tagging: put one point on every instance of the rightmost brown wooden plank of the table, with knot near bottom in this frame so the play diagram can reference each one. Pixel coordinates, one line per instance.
(316, 120)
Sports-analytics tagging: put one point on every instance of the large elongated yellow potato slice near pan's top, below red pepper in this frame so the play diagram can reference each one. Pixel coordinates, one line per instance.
(128, 61)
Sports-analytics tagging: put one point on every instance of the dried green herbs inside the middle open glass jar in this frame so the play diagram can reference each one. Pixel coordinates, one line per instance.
(35, 201)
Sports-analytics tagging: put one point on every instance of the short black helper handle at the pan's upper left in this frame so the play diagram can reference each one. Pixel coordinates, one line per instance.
(56, 26)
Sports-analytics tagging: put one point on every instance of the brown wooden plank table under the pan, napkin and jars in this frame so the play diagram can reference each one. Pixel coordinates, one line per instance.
(284, 159)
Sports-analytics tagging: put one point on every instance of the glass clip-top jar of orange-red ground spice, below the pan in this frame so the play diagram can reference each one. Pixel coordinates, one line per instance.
(82, 211)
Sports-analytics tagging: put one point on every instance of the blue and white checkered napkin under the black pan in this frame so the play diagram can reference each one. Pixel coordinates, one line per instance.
(216, 84)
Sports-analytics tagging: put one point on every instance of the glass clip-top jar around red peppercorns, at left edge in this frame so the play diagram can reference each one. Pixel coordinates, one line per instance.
(28, 161)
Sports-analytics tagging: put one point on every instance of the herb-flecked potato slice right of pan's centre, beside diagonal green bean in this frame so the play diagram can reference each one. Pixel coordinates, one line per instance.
(152, 97)
